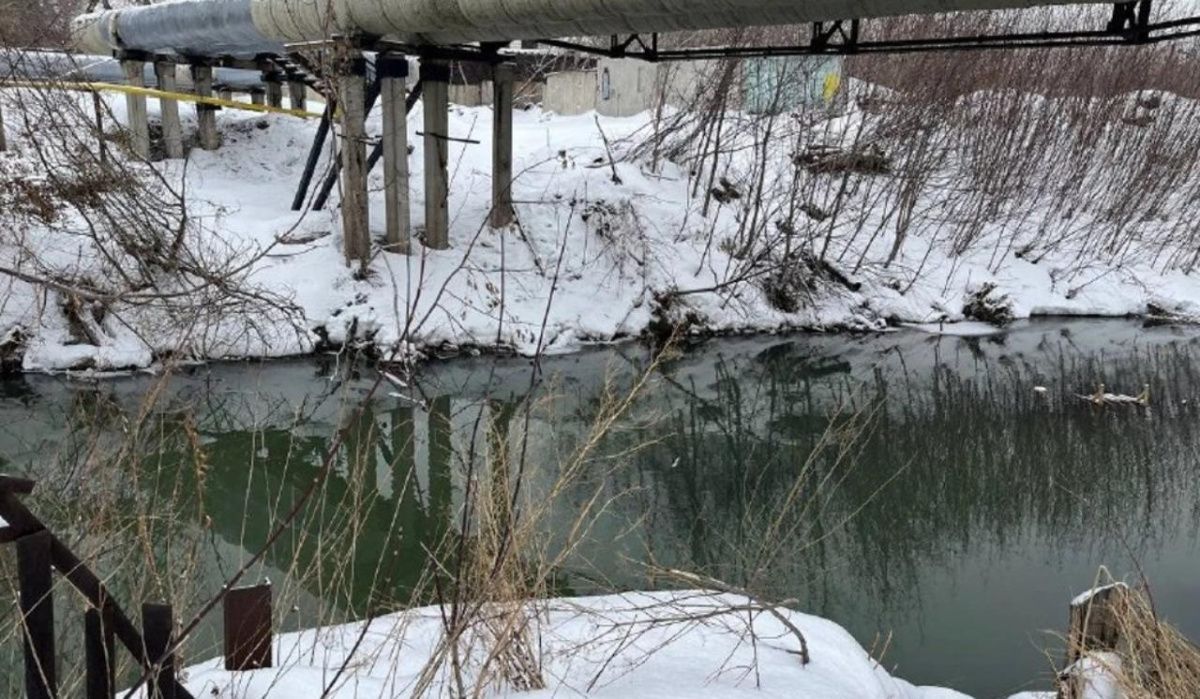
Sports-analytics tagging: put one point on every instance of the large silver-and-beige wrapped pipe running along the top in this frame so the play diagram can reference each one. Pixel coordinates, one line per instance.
(248, 27)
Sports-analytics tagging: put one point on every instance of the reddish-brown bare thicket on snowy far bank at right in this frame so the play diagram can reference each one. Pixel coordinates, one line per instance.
(1085, 157)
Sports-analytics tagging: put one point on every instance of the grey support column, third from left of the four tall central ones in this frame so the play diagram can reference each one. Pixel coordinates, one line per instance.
(436, 85)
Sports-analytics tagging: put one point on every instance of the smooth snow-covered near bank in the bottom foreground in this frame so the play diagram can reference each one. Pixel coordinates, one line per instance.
(640, 646)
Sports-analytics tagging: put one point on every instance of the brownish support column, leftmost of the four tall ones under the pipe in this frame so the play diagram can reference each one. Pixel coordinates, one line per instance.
(352, 91)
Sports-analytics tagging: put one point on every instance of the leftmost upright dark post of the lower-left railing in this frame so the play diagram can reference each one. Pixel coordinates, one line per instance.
(38, 614)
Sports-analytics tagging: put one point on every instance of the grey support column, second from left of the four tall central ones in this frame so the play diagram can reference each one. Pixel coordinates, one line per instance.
(393, 71)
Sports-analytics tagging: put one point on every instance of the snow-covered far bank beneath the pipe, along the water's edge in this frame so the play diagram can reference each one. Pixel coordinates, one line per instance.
(596, 258)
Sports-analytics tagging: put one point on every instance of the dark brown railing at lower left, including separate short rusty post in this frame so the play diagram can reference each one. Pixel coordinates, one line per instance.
(40, 554)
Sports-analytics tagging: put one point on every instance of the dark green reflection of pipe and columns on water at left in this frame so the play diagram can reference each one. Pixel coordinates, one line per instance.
(352, 547)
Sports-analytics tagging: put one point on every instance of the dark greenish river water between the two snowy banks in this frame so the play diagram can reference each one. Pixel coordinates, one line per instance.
(947, 511)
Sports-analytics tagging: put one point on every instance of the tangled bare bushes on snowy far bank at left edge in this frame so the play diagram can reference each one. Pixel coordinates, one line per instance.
(116, 247)
